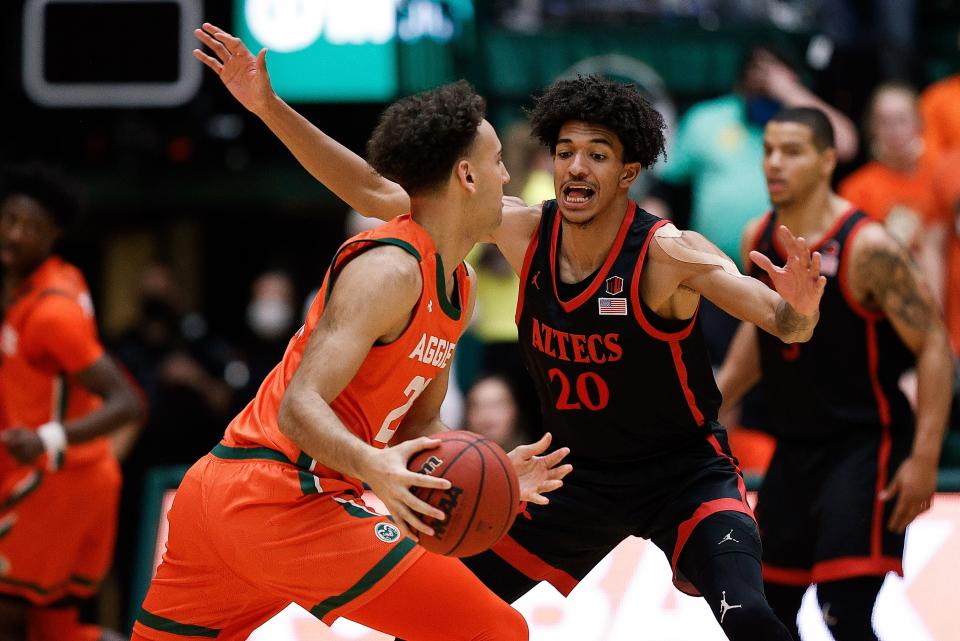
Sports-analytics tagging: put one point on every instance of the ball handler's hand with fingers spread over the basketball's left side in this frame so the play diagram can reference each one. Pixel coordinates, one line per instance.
(387, 475)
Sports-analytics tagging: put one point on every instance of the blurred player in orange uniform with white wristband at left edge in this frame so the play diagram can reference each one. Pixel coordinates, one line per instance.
(62, 396)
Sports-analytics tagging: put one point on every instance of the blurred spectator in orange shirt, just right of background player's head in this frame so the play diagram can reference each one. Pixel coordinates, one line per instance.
(896, 186)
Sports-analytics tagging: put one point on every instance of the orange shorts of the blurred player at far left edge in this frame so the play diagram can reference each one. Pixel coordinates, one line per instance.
(57, 530)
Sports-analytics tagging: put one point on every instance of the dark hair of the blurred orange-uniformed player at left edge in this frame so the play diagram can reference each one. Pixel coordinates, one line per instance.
(57, 195)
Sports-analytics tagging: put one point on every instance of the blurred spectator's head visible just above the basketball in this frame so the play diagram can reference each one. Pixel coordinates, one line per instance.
(492, 411)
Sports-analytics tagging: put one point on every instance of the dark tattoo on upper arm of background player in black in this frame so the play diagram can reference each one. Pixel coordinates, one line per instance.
(895, 287)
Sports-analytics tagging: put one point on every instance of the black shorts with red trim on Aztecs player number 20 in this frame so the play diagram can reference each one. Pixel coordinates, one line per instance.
(698, 487)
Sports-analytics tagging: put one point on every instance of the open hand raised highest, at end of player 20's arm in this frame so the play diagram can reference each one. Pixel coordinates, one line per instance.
(243, 74)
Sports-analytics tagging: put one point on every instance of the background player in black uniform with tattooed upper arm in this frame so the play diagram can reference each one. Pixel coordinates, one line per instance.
(850, 471)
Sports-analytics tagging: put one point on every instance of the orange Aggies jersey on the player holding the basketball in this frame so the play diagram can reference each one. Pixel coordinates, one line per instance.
(390, 378)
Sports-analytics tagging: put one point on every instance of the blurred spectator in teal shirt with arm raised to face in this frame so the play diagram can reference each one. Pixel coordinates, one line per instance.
(718, 150)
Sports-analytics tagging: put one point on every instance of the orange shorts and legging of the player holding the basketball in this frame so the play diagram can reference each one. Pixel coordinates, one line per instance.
(245, 541)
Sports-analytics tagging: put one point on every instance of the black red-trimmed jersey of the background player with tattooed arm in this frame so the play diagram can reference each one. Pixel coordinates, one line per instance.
(847, 375)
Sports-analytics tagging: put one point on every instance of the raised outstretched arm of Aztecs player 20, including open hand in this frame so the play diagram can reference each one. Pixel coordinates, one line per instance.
(343, 172)
